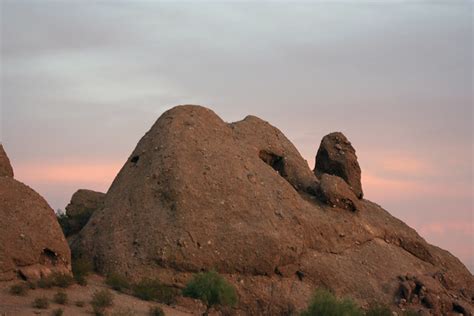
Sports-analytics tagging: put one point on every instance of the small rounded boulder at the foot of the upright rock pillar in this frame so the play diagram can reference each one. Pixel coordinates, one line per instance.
(335, 192)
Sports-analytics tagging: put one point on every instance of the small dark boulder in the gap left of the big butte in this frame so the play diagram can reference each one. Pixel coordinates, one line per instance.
(79, 210)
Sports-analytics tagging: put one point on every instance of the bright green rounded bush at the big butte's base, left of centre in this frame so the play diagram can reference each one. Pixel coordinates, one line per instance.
(212, 289)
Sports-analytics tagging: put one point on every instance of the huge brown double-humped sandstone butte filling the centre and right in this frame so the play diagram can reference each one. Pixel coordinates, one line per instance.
(198, 194)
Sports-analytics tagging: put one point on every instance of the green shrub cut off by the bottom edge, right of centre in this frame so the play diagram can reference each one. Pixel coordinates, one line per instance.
(325, 303)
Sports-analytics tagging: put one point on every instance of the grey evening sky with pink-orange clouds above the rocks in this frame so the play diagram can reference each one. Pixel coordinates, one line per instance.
(82, 81)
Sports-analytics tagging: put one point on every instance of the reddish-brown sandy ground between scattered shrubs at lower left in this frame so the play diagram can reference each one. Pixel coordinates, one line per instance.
(124, 305)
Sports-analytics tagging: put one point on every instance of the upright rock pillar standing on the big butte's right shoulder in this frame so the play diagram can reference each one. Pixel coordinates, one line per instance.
(336, 156)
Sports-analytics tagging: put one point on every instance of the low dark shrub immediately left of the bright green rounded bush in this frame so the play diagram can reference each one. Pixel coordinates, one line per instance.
(154, 290)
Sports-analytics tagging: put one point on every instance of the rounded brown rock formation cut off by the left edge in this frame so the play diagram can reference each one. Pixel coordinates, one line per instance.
(32, 244)
